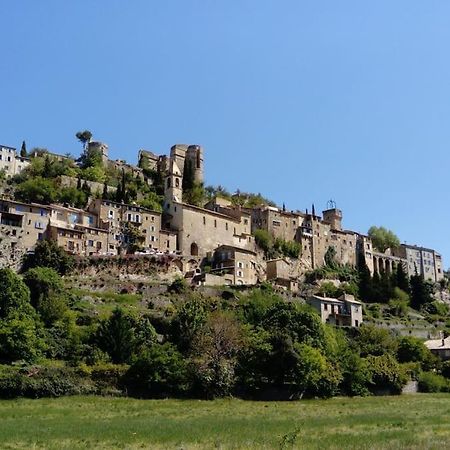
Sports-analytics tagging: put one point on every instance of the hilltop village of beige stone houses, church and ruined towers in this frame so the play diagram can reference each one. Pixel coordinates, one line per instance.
(216, 242)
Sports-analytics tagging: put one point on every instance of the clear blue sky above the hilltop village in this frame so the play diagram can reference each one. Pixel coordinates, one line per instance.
(302, 101)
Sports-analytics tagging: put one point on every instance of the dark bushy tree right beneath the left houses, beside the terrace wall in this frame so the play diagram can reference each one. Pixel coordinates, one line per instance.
(48, 254)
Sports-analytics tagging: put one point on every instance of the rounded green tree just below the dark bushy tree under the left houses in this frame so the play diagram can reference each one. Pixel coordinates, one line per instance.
(48, 294)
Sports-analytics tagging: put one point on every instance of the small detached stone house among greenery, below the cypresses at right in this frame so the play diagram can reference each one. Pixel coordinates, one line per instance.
(345, 311)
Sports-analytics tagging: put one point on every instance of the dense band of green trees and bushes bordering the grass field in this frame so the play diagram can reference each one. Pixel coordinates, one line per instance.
(251, 344)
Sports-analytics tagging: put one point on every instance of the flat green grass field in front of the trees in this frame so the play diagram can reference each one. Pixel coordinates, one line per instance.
(414, 421)
